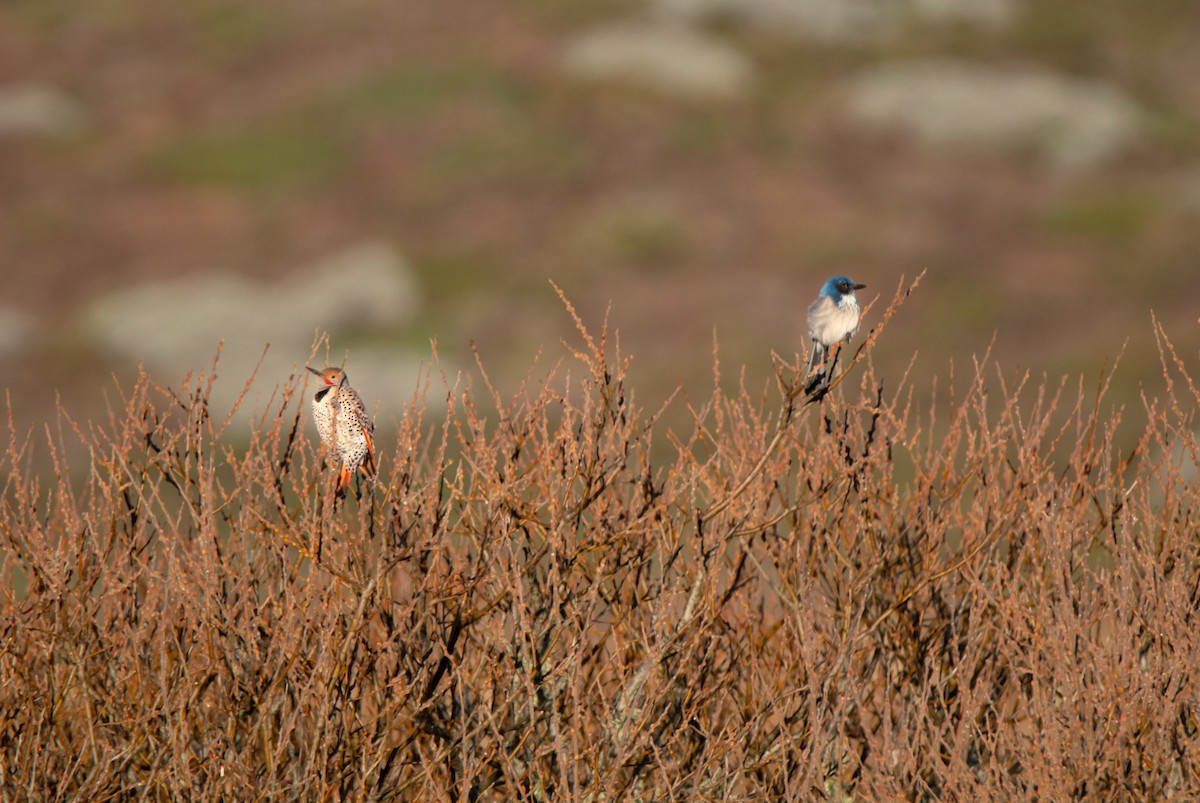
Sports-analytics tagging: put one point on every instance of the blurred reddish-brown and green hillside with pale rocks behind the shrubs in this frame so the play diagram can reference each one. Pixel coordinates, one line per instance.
(175, 175)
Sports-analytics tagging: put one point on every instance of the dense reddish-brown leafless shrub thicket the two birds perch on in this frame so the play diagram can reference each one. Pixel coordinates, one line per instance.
(850, 600)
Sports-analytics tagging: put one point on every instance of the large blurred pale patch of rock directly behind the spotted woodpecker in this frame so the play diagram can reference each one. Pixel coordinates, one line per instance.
(175, 327)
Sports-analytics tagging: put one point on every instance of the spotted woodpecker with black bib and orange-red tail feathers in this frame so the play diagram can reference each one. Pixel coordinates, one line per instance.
(346, 432)
